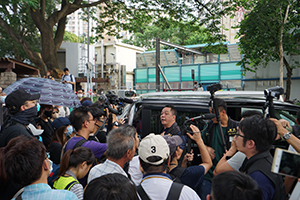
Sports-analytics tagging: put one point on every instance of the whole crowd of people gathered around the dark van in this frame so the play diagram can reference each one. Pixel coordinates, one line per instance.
(87, 153)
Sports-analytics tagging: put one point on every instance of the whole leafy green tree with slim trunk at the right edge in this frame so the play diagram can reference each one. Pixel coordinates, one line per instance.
(271, 33)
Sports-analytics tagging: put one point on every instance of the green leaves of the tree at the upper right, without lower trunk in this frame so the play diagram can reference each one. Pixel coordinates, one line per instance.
(260, 32)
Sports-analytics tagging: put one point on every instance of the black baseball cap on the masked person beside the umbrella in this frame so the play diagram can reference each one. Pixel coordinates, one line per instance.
(17, 98)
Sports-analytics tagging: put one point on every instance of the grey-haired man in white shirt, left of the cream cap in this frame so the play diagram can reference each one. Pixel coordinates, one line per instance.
(121, 146)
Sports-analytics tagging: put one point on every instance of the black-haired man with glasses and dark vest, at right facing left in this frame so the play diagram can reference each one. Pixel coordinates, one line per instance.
(254, 138)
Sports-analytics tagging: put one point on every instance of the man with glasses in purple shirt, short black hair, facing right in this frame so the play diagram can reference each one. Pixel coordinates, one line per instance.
(84, 123)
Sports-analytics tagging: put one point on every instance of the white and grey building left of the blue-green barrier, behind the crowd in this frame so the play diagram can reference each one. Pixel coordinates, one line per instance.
(119, 62)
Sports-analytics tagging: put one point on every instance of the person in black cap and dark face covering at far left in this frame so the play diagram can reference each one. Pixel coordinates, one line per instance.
(22, 110)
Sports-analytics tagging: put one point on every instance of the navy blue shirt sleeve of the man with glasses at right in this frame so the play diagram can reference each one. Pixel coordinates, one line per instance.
(265, 184)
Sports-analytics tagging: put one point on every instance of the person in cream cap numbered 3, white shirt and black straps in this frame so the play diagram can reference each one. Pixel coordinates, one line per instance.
(154, 155)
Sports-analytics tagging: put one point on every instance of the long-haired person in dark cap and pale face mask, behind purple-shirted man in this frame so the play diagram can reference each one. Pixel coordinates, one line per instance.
(62, 132)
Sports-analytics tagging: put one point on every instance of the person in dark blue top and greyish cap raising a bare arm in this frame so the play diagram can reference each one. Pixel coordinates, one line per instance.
(191, 176)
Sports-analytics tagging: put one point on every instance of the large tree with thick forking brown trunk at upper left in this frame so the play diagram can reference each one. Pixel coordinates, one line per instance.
(19, 18)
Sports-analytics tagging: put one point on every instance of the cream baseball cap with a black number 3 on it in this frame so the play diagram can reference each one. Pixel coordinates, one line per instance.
(154, 145)
